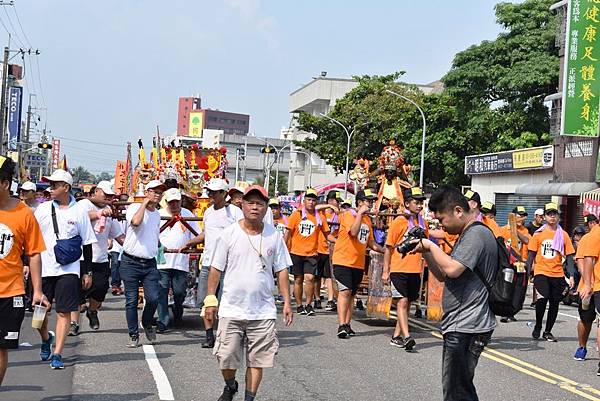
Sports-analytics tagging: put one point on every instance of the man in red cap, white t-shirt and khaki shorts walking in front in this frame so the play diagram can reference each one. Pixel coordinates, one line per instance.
(248, 254)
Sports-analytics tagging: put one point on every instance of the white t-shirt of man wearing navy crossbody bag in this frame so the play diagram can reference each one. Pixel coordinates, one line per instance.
(71, 222)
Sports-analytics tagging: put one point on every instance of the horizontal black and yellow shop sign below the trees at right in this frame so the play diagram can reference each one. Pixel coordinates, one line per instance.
(521, 159)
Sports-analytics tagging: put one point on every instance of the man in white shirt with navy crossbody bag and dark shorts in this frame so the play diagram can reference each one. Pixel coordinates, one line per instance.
(60, 282)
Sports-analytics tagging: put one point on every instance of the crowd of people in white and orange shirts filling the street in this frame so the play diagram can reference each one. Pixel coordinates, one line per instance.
(72, 252)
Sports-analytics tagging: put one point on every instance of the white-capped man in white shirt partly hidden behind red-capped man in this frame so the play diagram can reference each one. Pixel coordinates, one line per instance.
(216, 218)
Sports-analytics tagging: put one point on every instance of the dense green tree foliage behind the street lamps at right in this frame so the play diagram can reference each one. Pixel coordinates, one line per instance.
(493, 101)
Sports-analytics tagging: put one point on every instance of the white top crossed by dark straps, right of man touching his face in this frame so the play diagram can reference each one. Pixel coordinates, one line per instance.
(174, 238)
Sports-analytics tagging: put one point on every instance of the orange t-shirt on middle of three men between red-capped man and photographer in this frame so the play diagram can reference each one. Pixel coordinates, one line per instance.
(350, 251)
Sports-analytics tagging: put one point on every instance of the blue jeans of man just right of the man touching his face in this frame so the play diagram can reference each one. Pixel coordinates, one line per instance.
(176, 279)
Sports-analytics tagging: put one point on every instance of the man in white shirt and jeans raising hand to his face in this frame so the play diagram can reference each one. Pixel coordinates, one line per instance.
(138, 263)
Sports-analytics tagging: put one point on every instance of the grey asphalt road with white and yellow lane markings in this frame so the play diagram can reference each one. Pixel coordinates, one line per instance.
(313, 364)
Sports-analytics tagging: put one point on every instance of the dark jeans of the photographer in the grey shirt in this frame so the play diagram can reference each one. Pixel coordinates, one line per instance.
(459, 360)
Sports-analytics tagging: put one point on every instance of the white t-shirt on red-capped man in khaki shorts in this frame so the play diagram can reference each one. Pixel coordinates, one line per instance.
(248, 278)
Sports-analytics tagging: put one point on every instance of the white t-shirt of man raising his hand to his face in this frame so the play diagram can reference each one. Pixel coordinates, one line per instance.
(142, 241)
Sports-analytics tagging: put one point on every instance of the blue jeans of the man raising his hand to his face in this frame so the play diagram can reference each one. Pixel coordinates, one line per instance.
(133, 272)
